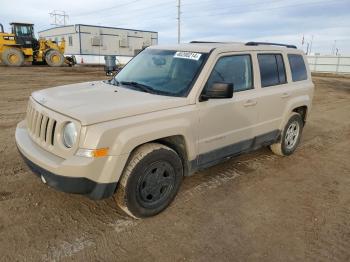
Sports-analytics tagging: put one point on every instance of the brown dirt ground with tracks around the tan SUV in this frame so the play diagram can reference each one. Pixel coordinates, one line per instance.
(257, 207)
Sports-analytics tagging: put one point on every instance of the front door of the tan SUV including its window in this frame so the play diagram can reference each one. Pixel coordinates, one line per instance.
(227, 126)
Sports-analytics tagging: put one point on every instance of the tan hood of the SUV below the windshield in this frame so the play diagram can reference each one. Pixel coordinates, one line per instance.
(95, 102)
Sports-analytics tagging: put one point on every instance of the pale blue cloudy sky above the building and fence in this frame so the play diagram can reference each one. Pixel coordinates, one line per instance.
(216, 20)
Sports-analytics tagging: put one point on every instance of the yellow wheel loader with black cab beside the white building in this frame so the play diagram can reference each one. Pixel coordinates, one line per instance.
(21, 46)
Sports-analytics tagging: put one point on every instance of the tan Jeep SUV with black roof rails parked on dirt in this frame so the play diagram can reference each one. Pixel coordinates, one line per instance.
(172, 110)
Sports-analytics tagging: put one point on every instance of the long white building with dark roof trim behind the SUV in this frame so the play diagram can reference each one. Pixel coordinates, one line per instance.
(91, 43)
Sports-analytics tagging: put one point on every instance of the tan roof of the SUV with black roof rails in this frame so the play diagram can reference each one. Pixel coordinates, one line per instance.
(206, 47)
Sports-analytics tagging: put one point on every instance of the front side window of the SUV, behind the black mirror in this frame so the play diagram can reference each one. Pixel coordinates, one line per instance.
(236, 70)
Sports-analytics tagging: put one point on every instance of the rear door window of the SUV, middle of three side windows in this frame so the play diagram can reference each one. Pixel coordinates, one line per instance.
(272, 70)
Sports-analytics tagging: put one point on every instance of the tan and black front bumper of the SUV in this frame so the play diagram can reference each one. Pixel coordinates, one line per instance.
(96, 178)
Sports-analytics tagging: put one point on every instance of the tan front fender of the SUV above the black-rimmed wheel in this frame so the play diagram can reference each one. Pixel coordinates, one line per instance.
(121, 136)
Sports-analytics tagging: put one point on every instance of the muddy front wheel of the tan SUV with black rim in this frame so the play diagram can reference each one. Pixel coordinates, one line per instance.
(150, 181)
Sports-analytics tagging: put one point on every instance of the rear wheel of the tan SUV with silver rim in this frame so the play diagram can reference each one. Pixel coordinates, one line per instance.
(290, 137)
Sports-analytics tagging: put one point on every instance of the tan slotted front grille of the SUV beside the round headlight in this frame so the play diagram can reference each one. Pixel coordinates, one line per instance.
(40, 126)
